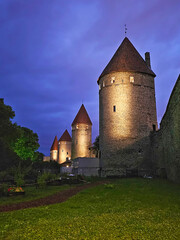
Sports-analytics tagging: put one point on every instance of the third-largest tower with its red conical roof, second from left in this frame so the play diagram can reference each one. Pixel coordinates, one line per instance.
(64, 147)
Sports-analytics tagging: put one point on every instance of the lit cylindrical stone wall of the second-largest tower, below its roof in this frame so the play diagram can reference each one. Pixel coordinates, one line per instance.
(81, 140)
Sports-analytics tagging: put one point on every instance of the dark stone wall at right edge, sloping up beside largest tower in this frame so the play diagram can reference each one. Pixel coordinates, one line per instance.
(166, 142)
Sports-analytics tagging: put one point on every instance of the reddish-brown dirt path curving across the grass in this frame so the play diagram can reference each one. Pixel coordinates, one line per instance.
(52, 199)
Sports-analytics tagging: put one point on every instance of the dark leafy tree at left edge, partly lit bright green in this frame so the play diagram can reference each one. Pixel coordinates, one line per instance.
(16, 143)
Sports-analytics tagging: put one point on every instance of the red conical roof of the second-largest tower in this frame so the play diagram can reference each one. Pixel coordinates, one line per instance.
(82, 117)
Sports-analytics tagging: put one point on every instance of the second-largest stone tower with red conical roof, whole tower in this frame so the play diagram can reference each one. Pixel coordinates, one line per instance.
(81, 134)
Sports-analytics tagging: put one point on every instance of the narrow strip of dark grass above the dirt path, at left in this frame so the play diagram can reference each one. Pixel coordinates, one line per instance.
(32, 193)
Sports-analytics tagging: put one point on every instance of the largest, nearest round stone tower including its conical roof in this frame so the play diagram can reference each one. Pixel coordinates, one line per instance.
(127, 108)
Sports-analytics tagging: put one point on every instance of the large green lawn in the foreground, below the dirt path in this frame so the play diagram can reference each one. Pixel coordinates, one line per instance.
(124, 209)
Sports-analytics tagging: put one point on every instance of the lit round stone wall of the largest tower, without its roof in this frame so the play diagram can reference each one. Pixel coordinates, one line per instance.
(122, 128)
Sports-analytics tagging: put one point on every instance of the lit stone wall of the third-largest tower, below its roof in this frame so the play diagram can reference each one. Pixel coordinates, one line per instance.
(64, 151)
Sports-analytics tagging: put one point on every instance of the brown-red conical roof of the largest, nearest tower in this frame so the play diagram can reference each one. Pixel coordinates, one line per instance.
(127, 59)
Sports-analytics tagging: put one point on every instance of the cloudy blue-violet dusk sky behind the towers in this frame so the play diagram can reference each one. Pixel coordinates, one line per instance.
(53, 51)
